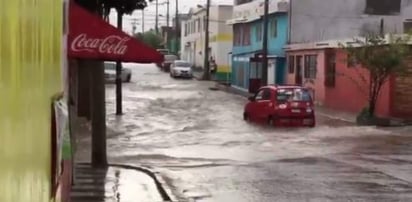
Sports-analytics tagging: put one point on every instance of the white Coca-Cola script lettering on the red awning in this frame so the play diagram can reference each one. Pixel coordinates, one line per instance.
(112, 44)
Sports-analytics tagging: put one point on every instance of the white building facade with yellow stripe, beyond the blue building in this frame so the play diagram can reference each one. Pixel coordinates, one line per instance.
(220, 37)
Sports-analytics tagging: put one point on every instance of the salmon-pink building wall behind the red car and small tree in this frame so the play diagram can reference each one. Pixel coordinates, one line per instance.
(349, 93)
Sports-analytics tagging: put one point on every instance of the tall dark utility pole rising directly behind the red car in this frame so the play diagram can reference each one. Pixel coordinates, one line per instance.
(265, 44)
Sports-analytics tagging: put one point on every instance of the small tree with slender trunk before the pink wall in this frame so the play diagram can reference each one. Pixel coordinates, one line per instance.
(382, 56)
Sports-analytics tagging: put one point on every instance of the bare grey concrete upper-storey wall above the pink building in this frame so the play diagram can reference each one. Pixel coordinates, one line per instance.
(317, 20)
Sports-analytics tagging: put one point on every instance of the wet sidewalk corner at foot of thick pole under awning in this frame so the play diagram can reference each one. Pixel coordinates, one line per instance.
(113, 184)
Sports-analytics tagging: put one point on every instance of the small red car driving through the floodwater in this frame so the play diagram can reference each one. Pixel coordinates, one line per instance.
(281, 105)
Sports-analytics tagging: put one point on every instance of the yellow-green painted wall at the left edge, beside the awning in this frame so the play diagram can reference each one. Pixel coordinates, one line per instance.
(30, 60)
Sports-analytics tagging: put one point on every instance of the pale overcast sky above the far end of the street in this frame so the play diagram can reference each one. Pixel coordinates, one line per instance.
(150, 13)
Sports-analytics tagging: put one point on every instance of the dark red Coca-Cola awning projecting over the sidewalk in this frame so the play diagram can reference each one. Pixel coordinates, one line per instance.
(90, 37)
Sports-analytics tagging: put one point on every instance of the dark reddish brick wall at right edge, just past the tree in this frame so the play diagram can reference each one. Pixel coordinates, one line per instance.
(402, 94)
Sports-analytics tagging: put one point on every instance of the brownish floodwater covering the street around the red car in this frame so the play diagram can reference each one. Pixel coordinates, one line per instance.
(196, 138)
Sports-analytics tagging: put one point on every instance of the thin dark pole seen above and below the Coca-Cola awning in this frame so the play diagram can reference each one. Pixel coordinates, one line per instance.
(119, 110)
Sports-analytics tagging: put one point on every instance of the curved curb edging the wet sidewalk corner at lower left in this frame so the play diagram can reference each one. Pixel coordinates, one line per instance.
(165, 193)
